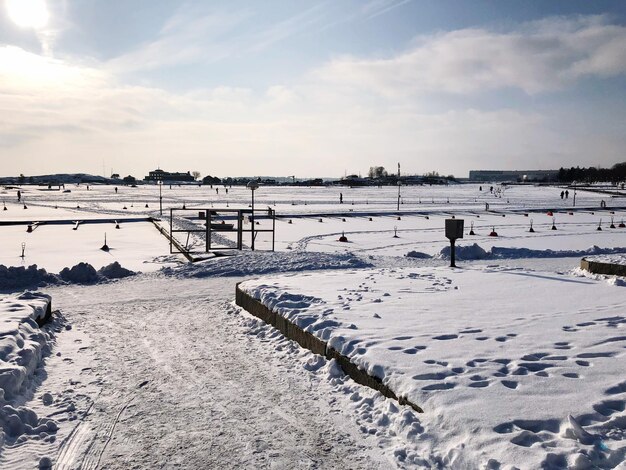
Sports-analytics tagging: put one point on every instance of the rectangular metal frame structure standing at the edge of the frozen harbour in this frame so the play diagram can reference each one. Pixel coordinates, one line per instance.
(208, 218)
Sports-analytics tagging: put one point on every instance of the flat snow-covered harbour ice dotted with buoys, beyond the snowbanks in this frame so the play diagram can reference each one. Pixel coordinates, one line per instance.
(139, 250)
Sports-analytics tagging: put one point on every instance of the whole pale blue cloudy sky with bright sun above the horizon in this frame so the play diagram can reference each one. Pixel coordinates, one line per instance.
(310, 88)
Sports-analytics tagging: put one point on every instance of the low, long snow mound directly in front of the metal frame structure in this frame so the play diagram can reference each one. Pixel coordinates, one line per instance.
(249, 263)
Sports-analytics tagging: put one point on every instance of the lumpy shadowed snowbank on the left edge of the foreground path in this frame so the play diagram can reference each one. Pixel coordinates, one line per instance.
(22, 345)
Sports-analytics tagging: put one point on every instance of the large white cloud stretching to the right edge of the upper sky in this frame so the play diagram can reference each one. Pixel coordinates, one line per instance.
(541, 56)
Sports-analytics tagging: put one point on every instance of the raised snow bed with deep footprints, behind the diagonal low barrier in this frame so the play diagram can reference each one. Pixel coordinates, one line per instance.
(458, 341)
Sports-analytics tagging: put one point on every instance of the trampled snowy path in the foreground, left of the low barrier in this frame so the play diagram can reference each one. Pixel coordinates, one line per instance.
(186, 384)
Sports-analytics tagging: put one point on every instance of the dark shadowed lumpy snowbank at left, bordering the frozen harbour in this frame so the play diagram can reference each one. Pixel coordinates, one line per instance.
(18, 278)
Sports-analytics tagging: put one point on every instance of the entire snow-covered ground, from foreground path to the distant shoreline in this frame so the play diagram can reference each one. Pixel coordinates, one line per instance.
(160, 369)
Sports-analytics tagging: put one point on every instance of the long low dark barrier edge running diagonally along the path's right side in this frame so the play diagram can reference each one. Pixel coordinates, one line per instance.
(316, 345)
